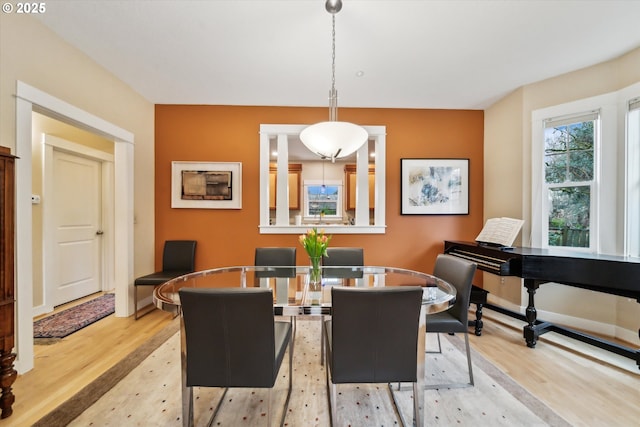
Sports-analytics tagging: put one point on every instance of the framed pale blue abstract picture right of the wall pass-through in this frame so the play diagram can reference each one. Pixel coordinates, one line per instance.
(434, 186)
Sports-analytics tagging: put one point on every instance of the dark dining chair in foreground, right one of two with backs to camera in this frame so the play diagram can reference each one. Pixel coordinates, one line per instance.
(372, 337)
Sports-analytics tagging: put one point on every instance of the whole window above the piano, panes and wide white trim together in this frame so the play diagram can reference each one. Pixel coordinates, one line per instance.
(585, 176)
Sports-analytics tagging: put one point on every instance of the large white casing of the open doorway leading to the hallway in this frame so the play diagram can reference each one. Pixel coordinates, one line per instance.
(29, 99)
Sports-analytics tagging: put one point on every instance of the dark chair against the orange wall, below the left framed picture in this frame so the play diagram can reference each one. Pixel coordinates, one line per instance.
(178, 258)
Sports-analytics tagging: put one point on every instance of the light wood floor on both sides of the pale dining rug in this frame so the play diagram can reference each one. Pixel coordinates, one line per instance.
(585, 385)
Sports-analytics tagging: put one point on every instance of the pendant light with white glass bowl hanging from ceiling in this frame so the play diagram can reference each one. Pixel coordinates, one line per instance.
(333, 139)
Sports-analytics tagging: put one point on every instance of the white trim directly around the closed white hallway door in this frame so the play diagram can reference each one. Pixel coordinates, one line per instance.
(50, 144)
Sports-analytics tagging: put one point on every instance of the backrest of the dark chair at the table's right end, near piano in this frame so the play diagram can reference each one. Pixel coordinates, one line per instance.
(459, 273)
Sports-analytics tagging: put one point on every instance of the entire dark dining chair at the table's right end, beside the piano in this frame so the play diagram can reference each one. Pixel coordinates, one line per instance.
(459, 273)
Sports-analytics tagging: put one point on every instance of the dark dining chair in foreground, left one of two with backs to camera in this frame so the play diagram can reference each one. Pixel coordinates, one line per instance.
(231, 340)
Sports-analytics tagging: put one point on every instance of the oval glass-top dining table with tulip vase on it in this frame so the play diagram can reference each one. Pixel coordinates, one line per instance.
(297, 292)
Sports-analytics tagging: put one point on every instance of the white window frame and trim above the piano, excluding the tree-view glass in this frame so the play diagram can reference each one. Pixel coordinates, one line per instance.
(617, 204)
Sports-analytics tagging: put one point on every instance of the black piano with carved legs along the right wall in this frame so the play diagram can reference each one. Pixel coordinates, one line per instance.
(610, 274)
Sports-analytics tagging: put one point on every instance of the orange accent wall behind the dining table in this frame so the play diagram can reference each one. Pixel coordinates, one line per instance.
(230, 134)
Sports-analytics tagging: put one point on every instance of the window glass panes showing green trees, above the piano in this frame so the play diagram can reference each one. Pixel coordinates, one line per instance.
(569, 164)
